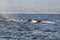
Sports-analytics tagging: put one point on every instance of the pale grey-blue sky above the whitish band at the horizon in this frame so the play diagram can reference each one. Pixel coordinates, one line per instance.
(22, 5)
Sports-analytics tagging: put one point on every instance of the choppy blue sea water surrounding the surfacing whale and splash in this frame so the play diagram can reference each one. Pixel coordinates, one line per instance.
(28, 31)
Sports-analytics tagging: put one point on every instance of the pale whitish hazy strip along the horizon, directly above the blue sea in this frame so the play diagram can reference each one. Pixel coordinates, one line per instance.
(30, 12)
